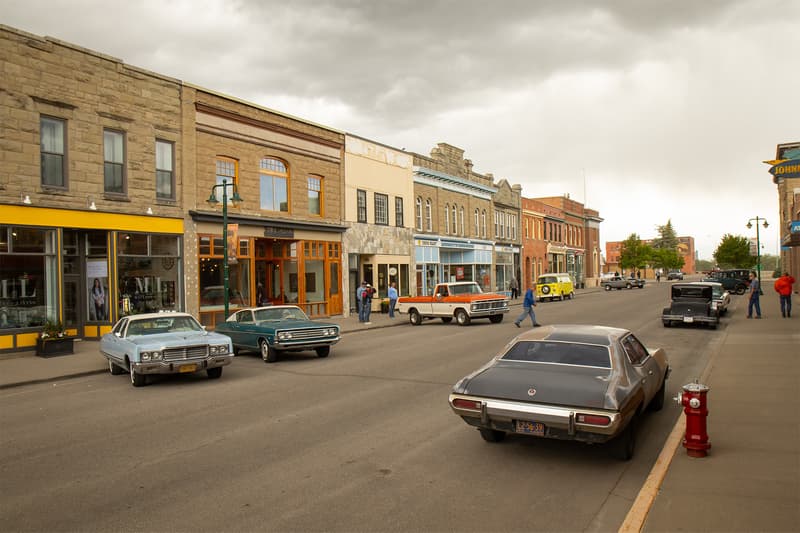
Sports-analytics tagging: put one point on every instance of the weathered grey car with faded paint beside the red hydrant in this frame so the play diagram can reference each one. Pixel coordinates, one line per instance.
(570, 382)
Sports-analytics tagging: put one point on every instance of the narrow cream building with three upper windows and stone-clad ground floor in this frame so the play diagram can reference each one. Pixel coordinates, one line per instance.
(379, 215)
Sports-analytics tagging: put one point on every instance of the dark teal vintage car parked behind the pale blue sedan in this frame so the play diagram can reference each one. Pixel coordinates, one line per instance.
(277, 329)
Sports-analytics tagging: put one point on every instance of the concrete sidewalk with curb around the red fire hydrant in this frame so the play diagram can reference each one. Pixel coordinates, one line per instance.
(750, 480)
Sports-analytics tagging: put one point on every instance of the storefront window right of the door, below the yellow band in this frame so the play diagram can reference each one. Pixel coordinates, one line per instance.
(149, 270)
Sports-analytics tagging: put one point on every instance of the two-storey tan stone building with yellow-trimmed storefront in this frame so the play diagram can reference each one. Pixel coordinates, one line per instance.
(91, 210)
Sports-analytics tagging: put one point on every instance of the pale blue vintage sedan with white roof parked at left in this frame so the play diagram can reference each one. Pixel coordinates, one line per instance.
(164, 343)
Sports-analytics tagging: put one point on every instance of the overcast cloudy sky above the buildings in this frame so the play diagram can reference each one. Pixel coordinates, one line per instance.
(646, 110)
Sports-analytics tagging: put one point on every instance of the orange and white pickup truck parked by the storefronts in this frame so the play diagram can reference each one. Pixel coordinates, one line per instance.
(463, 300)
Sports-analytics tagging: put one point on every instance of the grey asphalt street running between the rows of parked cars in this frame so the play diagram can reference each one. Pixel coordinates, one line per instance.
(360, 441)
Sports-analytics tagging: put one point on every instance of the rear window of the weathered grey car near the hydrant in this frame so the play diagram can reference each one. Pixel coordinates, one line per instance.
(565, 353)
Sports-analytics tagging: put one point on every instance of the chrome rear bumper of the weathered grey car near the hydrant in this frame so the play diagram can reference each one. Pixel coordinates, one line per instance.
(560, 422)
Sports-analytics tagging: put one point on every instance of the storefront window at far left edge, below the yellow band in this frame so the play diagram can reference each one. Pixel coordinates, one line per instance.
(27, 277)
